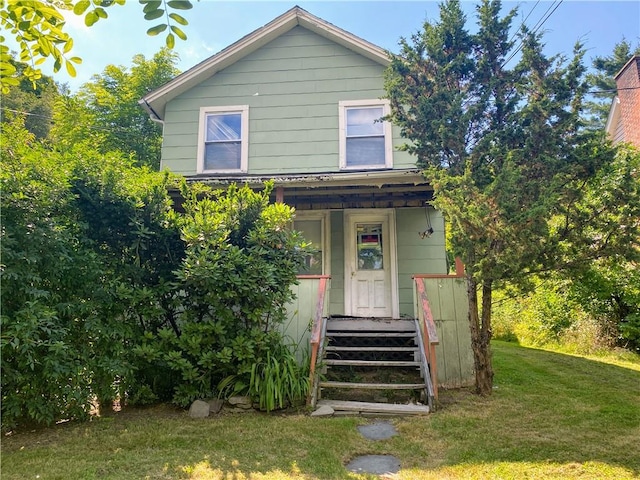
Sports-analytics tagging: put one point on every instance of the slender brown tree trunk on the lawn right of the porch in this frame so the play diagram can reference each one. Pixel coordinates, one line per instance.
(480, 326)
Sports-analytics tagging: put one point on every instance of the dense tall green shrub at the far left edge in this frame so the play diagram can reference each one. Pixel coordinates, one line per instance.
(51, 288)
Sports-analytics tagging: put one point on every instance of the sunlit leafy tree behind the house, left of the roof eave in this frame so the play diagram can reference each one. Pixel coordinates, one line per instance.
(105, 112)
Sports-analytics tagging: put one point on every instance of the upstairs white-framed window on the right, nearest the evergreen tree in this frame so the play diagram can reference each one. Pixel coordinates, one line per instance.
(365, 141)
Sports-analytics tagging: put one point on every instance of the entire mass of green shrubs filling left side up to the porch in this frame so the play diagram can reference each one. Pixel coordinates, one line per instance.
(109, 293)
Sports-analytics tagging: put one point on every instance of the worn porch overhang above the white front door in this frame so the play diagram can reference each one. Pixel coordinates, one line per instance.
(339, 190)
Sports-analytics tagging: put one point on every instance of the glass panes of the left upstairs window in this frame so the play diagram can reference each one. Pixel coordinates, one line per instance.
(223, 146)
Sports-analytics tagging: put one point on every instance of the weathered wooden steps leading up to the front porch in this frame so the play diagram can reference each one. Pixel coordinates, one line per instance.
(372, 366)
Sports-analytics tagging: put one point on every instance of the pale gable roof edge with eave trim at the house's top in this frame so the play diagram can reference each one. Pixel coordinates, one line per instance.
(155, 102)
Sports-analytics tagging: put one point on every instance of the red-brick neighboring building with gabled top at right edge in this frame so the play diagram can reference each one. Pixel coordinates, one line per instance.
(623, 124)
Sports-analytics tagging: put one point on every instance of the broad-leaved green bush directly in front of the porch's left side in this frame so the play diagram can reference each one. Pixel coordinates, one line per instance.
(240, 261)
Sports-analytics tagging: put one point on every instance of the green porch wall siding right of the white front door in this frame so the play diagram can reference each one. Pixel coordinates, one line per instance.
(417, 255)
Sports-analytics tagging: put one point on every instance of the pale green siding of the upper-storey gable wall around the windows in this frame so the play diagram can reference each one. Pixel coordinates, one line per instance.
(299, 78)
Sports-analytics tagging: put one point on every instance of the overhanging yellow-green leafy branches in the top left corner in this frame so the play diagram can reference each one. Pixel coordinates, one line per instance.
(38, 27)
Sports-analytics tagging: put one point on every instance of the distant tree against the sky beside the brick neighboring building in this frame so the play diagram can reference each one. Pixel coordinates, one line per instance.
(603, 82)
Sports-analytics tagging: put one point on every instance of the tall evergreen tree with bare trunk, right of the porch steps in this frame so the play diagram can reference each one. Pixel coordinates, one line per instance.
(505, 151)
